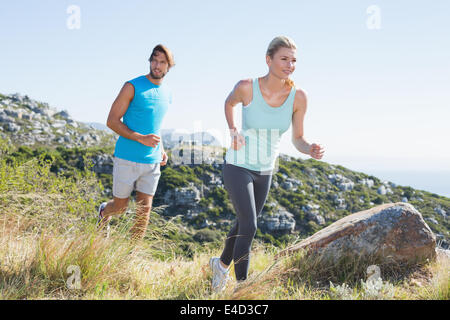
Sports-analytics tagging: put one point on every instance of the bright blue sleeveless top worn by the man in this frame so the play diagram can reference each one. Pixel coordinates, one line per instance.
(144, 115)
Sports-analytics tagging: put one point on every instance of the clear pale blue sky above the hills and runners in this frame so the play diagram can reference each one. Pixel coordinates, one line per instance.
(379, 99)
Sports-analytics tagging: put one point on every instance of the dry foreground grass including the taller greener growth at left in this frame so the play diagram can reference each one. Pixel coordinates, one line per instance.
(47, 235)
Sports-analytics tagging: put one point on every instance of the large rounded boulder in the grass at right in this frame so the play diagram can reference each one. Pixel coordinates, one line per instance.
(396, 232)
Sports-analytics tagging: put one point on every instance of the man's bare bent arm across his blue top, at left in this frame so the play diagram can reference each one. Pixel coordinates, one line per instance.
(118, 109)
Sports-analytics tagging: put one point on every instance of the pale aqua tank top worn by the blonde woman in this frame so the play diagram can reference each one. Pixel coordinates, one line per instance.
(262, 127)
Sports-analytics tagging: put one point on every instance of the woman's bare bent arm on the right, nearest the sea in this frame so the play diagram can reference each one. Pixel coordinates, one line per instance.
(300, 105)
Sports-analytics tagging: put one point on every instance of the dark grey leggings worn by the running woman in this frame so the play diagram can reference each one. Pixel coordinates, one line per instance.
(248, 190)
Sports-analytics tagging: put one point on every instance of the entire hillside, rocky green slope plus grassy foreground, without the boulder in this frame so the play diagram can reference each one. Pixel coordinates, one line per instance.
(50, 189)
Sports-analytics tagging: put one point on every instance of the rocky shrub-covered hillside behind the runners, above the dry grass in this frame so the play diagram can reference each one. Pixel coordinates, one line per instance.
(305, 196)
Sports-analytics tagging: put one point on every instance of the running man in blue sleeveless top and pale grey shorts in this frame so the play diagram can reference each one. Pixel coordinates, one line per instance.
(139, 151)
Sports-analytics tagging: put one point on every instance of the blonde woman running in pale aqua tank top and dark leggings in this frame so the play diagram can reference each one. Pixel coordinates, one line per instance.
(269, 105)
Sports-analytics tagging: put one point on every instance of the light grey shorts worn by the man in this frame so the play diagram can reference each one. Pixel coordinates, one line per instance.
(128, 175)
